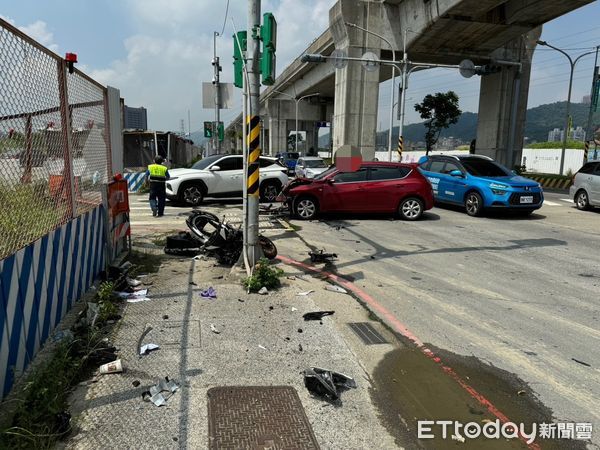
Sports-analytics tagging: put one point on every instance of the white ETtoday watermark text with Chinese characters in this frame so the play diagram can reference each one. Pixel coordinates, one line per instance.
(430, 429)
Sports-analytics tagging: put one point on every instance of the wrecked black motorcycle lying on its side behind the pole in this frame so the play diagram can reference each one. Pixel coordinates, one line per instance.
(214, 237)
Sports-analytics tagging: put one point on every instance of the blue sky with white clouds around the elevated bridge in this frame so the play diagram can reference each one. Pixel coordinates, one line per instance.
(159, 52)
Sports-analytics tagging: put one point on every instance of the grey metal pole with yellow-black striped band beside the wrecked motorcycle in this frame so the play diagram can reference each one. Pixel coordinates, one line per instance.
(253, 129)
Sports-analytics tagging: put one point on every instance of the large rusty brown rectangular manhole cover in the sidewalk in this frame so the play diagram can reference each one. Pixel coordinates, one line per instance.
(258, 418)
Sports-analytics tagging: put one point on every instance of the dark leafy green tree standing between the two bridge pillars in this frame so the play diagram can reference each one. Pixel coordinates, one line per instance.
(439, 111)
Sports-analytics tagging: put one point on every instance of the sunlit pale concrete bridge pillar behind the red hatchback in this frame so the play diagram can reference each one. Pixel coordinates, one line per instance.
(356, 90)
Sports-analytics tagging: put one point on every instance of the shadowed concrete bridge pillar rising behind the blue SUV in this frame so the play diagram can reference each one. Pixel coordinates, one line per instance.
(503, 103)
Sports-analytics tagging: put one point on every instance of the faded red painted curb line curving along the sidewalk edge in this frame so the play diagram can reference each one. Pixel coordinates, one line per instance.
(399, 327)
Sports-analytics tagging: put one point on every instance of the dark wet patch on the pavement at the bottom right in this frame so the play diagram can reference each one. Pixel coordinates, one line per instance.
(409, 386)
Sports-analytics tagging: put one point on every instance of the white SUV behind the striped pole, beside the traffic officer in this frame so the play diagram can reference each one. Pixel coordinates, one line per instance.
(223, 176)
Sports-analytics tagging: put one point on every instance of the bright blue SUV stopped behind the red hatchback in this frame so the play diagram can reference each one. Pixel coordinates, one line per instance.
(478, 183)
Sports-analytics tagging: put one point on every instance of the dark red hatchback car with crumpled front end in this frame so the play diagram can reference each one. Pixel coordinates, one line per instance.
(381, 187)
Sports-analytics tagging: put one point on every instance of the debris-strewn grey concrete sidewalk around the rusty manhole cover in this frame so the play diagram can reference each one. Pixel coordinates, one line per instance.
(262, 342)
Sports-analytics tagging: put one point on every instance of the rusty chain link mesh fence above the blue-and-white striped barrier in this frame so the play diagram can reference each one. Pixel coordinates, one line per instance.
(54, 141)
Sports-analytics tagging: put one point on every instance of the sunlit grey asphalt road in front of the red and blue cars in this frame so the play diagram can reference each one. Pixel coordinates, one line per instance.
(522, 294)
